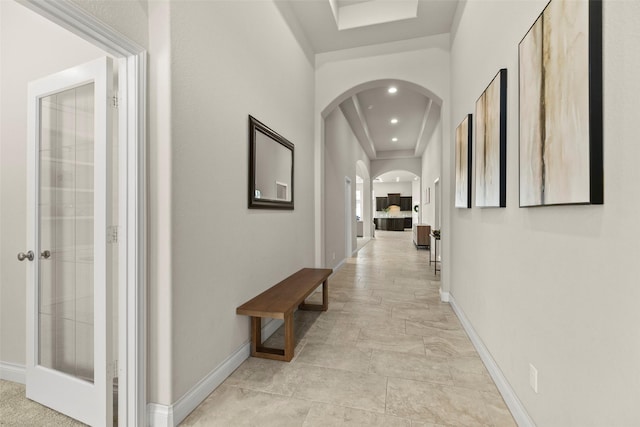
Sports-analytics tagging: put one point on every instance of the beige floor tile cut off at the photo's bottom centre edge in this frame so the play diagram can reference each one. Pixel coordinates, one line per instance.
(324, 415)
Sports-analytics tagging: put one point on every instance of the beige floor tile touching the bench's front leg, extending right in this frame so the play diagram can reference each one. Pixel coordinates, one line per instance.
(345, 357)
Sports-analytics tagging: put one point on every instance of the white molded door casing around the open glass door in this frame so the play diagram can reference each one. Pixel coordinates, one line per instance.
(132, 278)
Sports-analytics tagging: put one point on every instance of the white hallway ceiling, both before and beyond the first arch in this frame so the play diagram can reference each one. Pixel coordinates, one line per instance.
(331, 25)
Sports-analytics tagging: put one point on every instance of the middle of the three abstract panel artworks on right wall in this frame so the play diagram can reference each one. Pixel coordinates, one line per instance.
(491, 144)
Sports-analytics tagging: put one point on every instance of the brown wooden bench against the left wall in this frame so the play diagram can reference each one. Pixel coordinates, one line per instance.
(279, 302)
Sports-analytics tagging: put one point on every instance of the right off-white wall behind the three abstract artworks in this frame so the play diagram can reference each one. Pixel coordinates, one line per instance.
(555, 286)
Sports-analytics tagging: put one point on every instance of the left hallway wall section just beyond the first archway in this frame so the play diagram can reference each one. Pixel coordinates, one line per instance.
(342, 152)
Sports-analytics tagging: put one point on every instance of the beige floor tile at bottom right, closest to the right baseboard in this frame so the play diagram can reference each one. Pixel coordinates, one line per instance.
(438, 404)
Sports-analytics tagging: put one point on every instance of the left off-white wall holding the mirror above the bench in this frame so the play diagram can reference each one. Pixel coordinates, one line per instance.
(228, 61)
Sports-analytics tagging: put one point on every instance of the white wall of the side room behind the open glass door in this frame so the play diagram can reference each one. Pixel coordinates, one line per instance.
(31, 47)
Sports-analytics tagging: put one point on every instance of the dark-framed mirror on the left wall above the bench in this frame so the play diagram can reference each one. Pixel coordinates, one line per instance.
(270, 168)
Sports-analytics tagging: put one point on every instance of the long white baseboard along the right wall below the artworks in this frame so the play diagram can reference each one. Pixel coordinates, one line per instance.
(514, 404)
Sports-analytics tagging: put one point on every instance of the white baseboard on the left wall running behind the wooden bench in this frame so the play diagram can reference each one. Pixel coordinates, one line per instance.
(172, 415)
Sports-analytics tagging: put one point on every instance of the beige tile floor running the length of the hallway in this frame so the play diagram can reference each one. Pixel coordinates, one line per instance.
(387, 353)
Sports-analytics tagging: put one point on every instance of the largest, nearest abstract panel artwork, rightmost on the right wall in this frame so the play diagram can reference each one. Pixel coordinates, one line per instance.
(561, 125)
